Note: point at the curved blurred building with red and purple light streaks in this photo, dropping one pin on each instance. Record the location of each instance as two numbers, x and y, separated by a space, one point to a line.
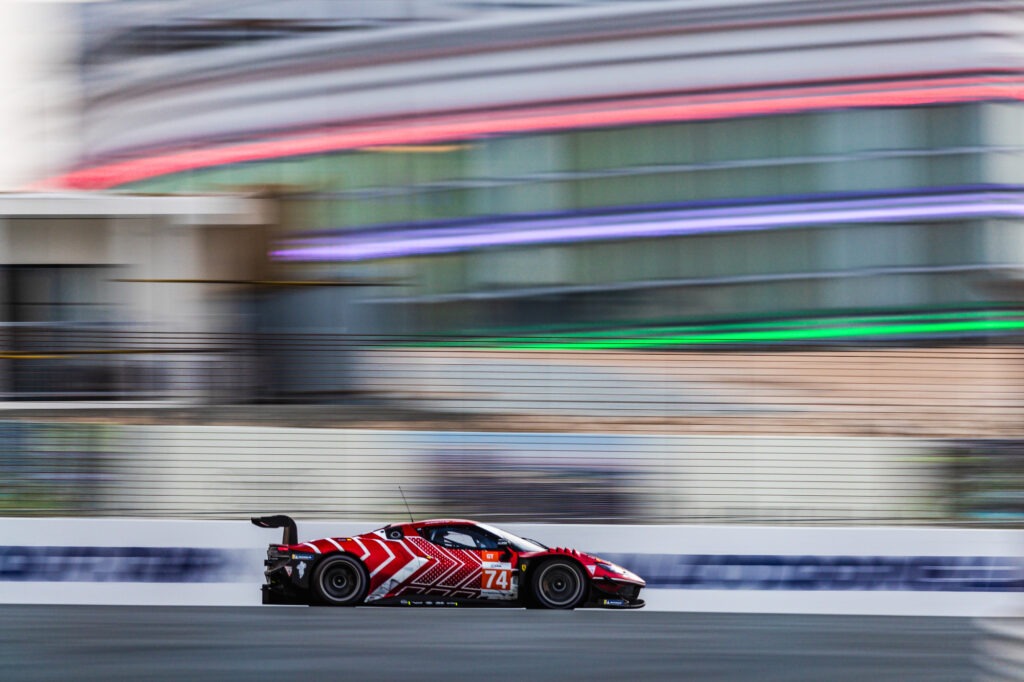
621 164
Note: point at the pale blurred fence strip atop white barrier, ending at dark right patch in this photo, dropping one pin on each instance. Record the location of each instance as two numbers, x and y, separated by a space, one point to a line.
232 472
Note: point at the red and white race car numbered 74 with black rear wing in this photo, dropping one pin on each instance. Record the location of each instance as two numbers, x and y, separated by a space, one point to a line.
440 563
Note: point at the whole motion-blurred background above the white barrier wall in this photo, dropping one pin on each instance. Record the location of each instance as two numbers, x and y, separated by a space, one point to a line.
671 262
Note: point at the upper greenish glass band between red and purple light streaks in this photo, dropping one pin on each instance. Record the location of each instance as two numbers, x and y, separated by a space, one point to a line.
797 155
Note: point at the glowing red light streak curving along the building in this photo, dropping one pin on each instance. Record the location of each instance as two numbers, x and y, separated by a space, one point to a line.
450 129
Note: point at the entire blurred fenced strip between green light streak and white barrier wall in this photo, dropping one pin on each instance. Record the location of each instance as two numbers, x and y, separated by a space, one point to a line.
331 427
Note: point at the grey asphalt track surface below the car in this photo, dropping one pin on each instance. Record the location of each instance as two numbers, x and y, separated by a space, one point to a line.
298 644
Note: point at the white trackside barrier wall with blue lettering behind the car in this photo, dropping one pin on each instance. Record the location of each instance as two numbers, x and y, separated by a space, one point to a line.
904 572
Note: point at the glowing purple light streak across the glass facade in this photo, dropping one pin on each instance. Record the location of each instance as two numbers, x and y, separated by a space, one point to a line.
370 245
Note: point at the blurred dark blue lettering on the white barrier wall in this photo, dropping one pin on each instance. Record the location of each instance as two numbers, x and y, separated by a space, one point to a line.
667 572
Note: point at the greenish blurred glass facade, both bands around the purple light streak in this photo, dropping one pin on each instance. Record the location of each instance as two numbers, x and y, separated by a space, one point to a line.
736 164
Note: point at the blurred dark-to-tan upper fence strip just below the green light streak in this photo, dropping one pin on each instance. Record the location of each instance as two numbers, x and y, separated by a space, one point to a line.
936 392
